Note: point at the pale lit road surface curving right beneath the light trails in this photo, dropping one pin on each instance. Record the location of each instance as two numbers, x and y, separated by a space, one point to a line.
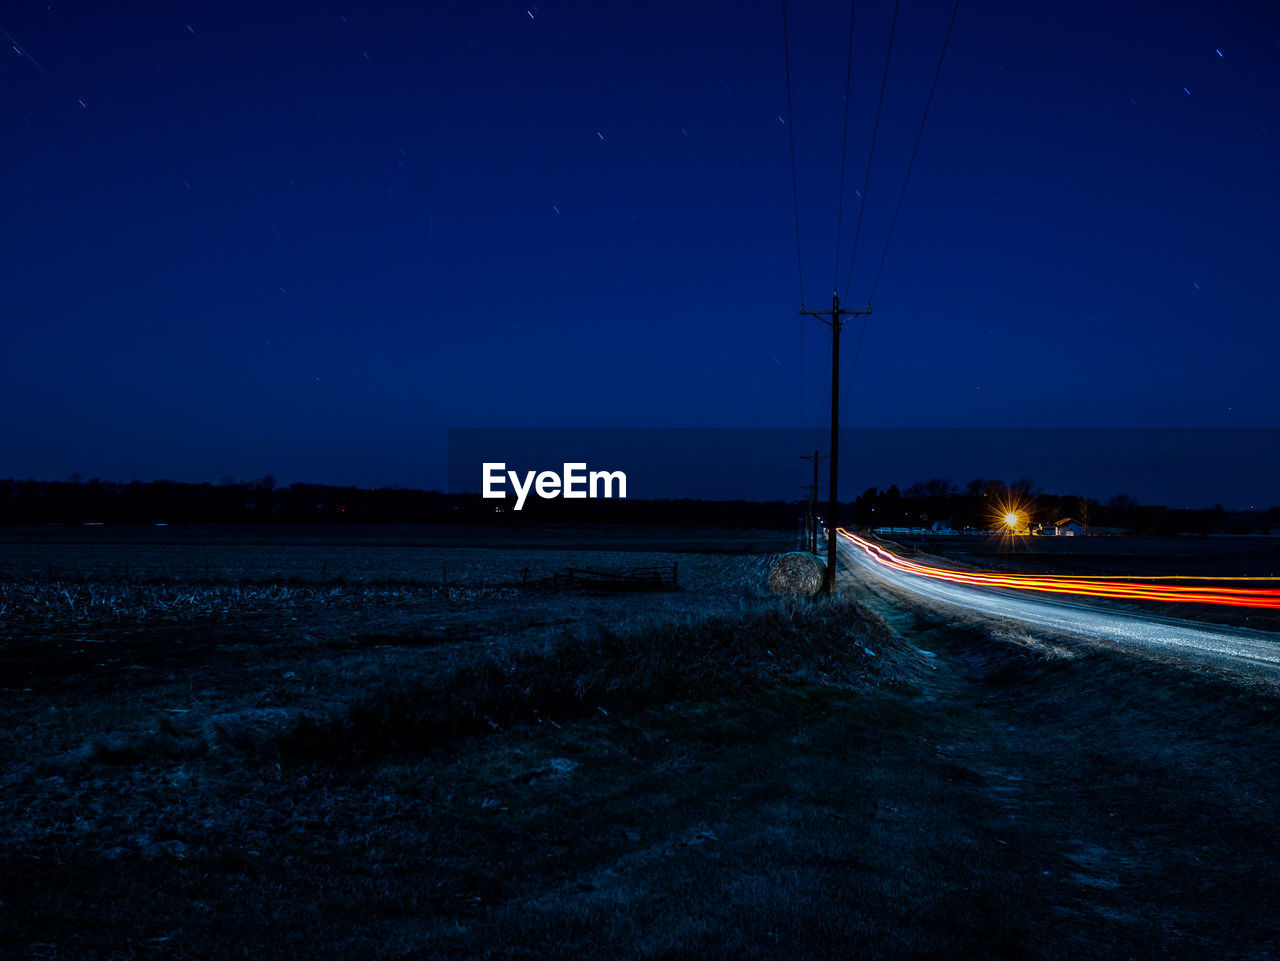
1254 652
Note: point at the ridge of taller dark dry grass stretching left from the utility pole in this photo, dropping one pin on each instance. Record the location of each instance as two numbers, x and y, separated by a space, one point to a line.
664 662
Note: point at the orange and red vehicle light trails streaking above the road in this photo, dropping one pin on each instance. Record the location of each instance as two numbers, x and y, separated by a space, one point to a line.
1085 587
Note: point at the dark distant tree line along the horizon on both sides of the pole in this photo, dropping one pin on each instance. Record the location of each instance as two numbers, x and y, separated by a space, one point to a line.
935 504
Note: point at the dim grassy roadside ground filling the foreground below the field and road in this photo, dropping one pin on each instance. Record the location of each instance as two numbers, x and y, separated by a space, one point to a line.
793 782
